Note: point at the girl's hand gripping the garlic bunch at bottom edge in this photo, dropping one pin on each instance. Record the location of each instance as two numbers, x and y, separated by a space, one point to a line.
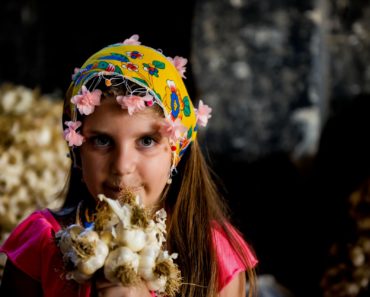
107 289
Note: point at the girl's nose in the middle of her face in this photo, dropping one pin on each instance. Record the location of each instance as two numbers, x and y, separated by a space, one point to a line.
124 160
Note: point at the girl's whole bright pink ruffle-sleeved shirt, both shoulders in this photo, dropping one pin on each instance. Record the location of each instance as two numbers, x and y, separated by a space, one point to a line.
32 249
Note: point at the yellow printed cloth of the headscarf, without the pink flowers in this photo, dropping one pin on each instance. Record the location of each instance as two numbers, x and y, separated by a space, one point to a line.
151 70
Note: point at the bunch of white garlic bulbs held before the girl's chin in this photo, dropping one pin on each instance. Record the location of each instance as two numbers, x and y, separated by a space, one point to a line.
125 243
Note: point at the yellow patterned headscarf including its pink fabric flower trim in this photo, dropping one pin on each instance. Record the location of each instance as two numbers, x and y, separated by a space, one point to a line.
159 75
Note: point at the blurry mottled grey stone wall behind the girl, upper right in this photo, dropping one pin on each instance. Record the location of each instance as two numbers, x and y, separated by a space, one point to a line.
270 69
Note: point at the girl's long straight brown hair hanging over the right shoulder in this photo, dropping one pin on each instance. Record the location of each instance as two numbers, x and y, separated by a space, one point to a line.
194 203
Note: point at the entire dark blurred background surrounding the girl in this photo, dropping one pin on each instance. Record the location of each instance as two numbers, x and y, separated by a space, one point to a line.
289 84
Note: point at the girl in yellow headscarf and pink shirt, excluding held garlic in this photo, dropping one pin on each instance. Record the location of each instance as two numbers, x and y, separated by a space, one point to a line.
129 121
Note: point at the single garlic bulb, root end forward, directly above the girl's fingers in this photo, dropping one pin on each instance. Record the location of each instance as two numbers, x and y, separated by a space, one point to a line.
121 266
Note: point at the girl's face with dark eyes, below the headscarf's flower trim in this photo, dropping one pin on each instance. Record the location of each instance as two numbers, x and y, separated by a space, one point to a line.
125 151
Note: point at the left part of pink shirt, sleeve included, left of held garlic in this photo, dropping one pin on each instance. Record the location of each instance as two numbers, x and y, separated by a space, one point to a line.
32 249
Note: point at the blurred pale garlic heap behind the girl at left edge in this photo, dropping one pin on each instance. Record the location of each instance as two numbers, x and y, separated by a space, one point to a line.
33 162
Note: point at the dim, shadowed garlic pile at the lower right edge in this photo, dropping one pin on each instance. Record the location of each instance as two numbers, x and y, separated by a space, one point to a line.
348 274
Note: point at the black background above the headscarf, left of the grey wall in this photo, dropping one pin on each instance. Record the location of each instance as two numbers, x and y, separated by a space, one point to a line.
42 41
